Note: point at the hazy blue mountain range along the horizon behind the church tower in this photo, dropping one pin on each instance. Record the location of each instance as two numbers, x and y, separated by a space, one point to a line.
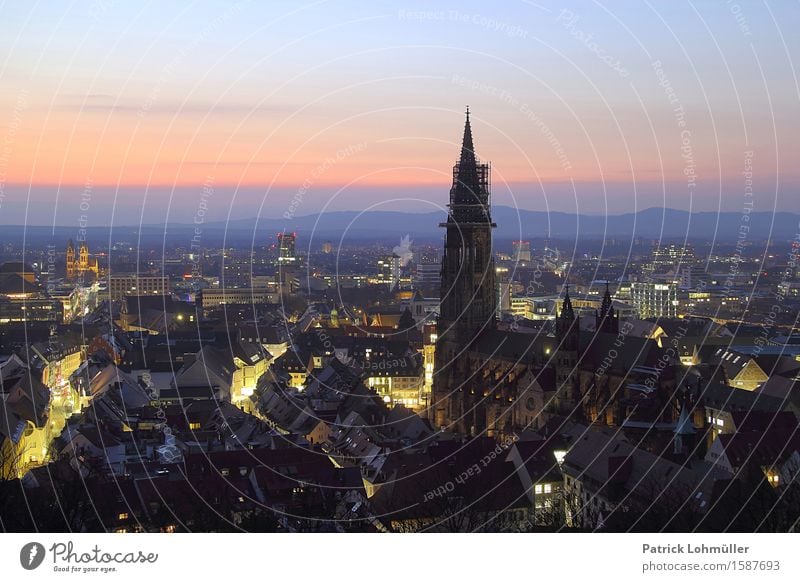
652 223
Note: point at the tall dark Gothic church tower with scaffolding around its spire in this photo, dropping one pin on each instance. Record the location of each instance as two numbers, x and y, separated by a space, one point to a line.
468 291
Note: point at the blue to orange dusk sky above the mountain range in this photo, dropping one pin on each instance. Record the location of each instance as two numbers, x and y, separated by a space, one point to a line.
125 112
